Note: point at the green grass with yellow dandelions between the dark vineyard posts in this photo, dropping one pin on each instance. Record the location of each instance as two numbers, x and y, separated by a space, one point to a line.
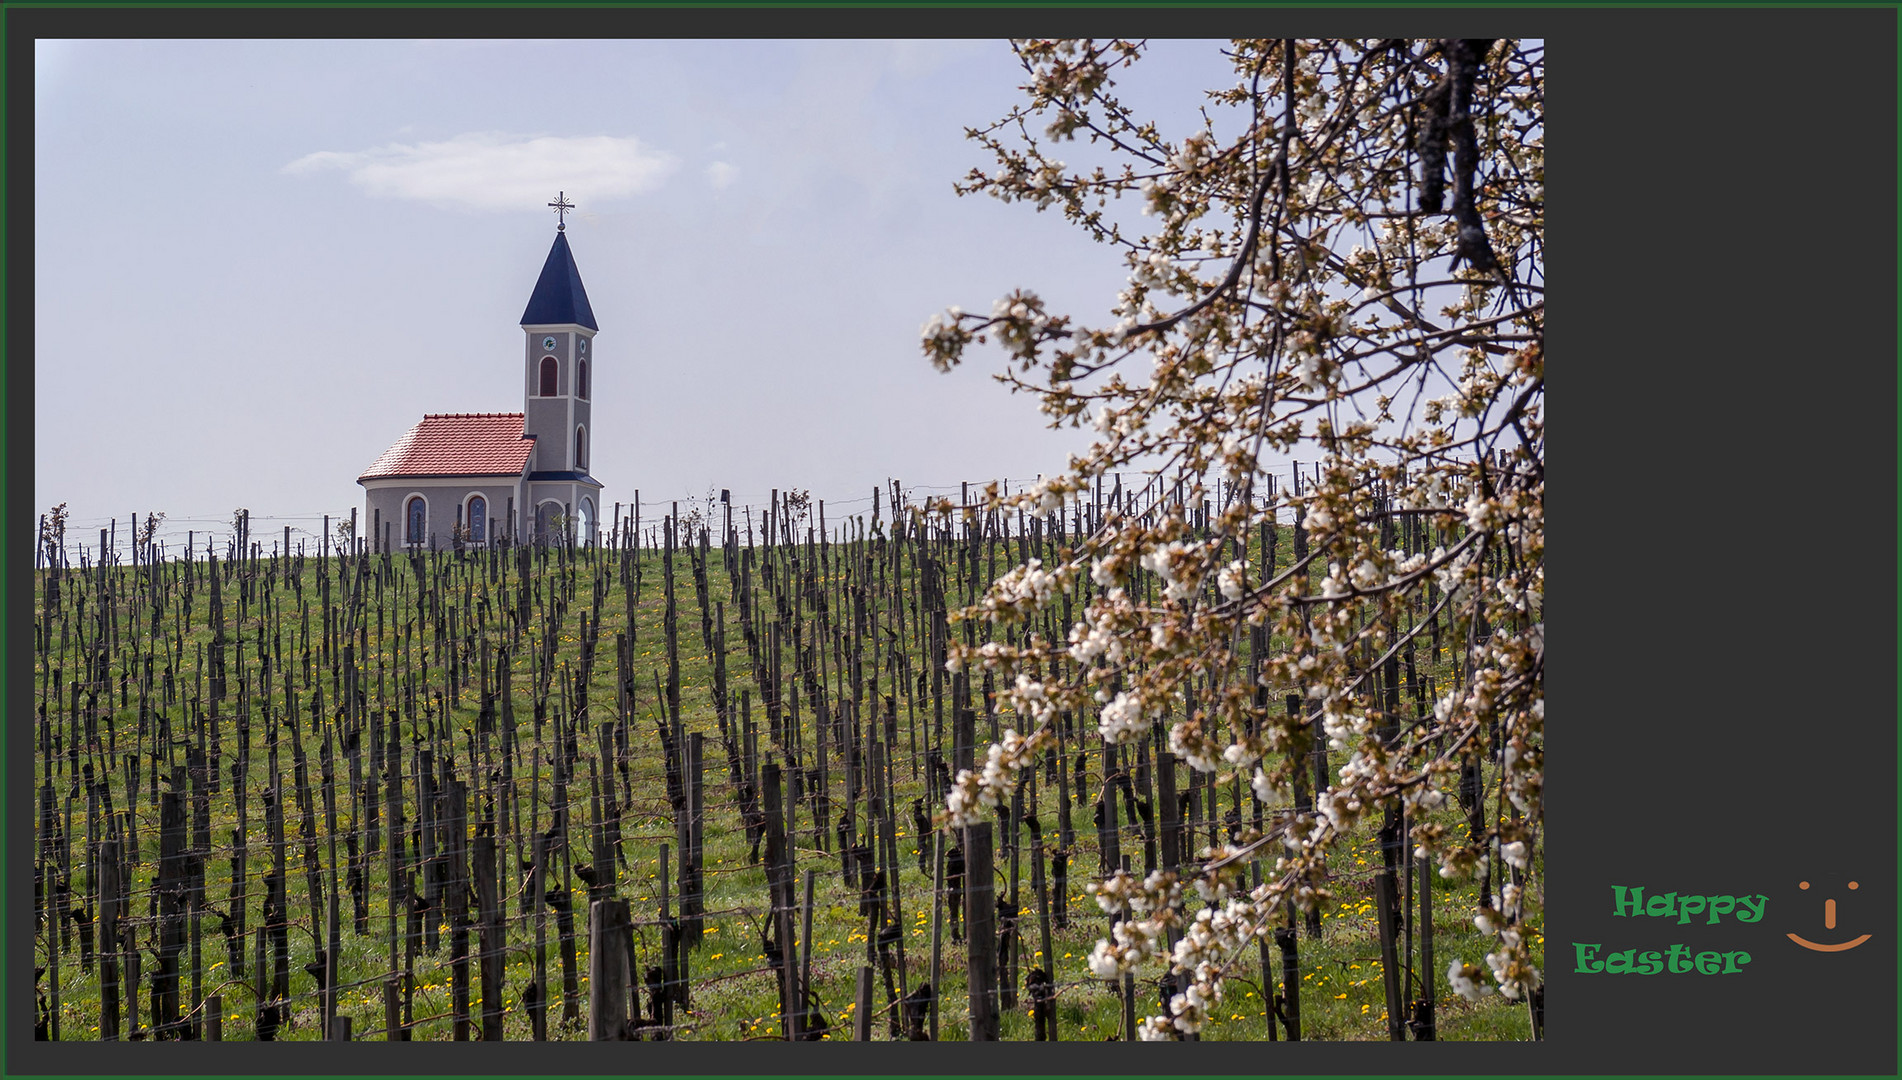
102 693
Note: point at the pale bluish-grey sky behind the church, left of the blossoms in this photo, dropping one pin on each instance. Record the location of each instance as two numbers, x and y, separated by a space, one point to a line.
260 263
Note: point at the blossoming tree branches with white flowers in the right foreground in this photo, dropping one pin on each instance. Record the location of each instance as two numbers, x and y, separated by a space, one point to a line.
1342 263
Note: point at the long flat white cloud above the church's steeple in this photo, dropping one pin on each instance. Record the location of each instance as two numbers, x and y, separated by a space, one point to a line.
488 170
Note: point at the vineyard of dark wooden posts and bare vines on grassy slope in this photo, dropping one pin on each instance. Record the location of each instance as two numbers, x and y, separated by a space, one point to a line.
684 786
